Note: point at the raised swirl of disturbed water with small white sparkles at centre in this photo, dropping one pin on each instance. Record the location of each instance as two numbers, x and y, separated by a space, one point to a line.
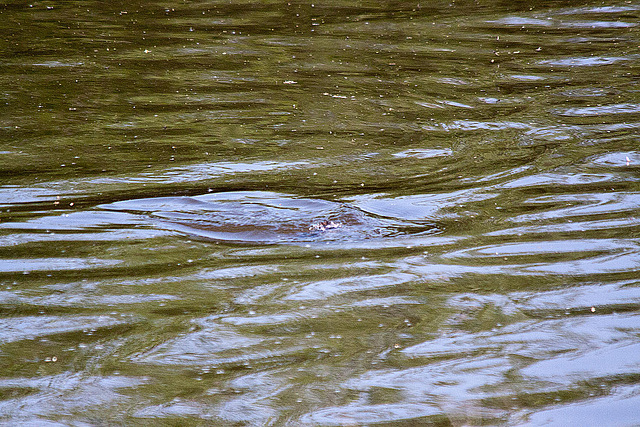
262 217
